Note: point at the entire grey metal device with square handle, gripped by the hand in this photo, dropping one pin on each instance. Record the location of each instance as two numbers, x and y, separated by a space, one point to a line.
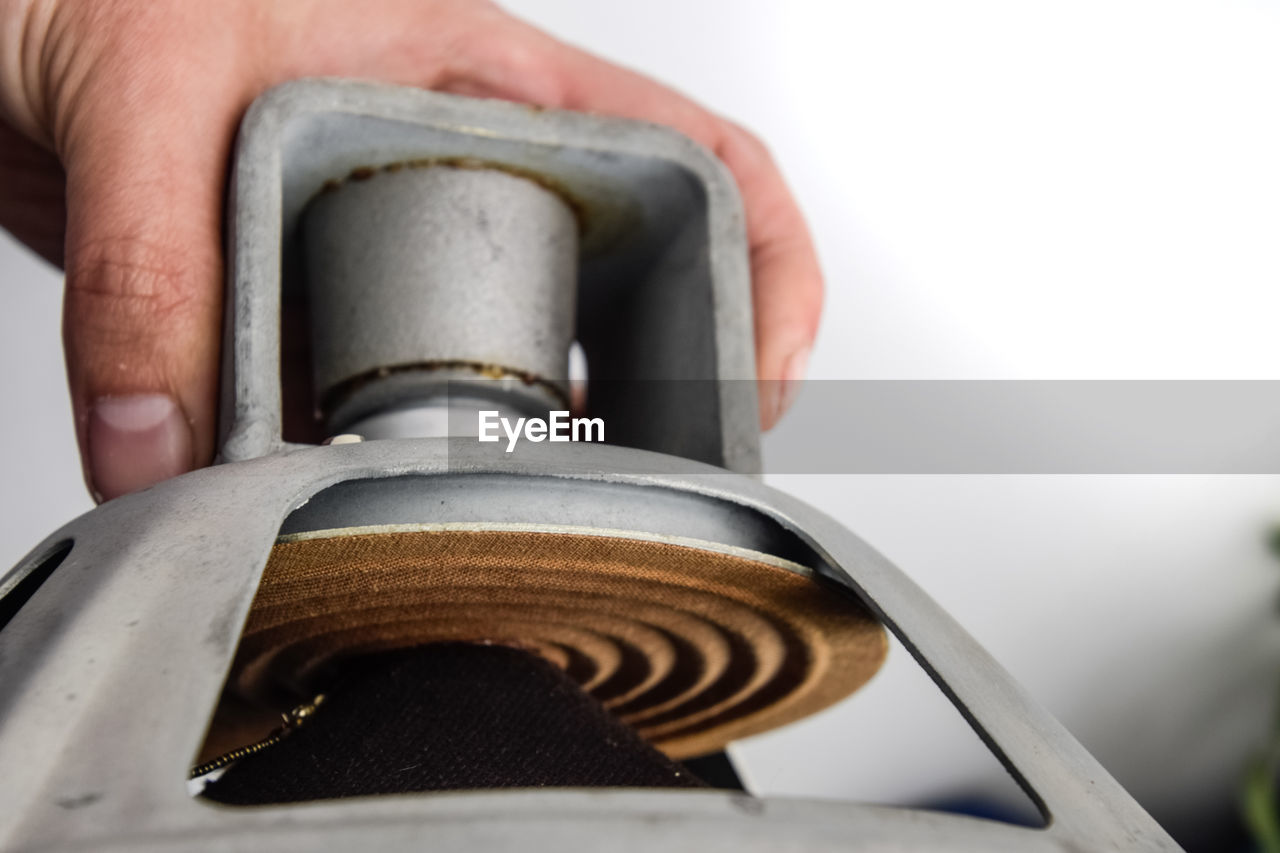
474 230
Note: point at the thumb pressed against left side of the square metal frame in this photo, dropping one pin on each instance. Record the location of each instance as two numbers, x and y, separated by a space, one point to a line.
144 291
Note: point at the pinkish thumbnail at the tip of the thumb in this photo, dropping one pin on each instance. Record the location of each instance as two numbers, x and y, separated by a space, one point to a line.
135 443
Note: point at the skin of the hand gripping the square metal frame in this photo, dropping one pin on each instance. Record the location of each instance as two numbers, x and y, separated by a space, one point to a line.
117 120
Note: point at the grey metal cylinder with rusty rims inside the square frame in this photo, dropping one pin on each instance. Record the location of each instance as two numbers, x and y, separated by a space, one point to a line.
426 276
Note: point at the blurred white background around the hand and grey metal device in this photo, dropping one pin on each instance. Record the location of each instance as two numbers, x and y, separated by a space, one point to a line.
999 190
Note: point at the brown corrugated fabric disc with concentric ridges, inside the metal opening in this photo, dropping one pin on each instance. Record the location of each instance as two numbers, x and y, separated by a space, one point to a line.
693 647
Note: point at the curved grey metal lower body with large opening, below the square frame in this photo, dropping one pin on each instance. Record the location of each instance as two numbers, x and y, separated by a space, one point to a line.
111 673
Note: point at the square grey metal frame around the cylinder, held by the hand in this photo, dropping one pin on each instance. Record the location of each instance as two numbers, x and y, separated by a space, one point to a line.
665 281
